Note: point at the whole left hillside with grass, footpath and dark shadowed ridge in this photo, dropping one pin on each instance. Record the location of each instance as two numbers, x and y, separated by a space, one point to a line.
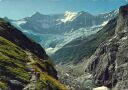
24 64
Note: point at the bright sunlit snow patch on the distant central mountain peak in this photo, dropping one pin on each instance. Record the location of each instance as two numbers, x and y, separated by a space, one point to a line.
69 16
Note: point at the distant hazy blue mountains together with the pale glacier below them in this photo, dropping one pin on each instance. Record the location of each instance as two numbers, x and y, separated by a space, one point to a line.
55 31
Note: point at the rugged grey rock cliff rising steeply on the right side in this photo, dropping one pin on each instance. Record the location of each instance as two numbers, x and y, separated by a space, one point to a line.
109 64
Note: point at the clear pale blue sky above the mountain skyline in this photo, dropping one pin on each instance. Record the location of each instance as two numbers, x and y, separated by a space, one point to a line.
17 9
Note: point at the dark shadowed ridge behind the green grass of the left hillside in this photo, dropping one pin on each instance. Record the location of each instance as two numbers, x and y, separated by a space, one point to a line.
11 33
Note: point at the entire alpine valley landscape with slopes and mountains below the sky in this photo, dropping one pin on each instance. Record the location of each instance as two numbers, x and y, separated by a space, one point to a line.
67 51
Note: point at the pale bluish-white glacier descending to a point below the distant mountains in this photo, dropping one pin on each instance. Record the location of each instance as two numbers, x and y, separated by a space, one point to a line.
53 42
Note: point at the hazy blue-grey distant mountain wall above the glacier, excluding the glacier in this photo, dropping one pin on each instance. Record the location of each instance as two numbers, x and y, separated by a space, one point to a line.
60 23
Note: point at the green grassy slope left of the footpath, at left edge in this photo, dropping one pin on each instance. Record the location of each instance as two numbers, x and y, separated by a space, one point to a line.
12 63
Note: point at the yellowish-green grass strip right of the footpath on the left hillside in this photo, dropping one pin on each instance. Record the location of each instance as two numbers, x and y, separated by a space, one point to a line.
45 80
